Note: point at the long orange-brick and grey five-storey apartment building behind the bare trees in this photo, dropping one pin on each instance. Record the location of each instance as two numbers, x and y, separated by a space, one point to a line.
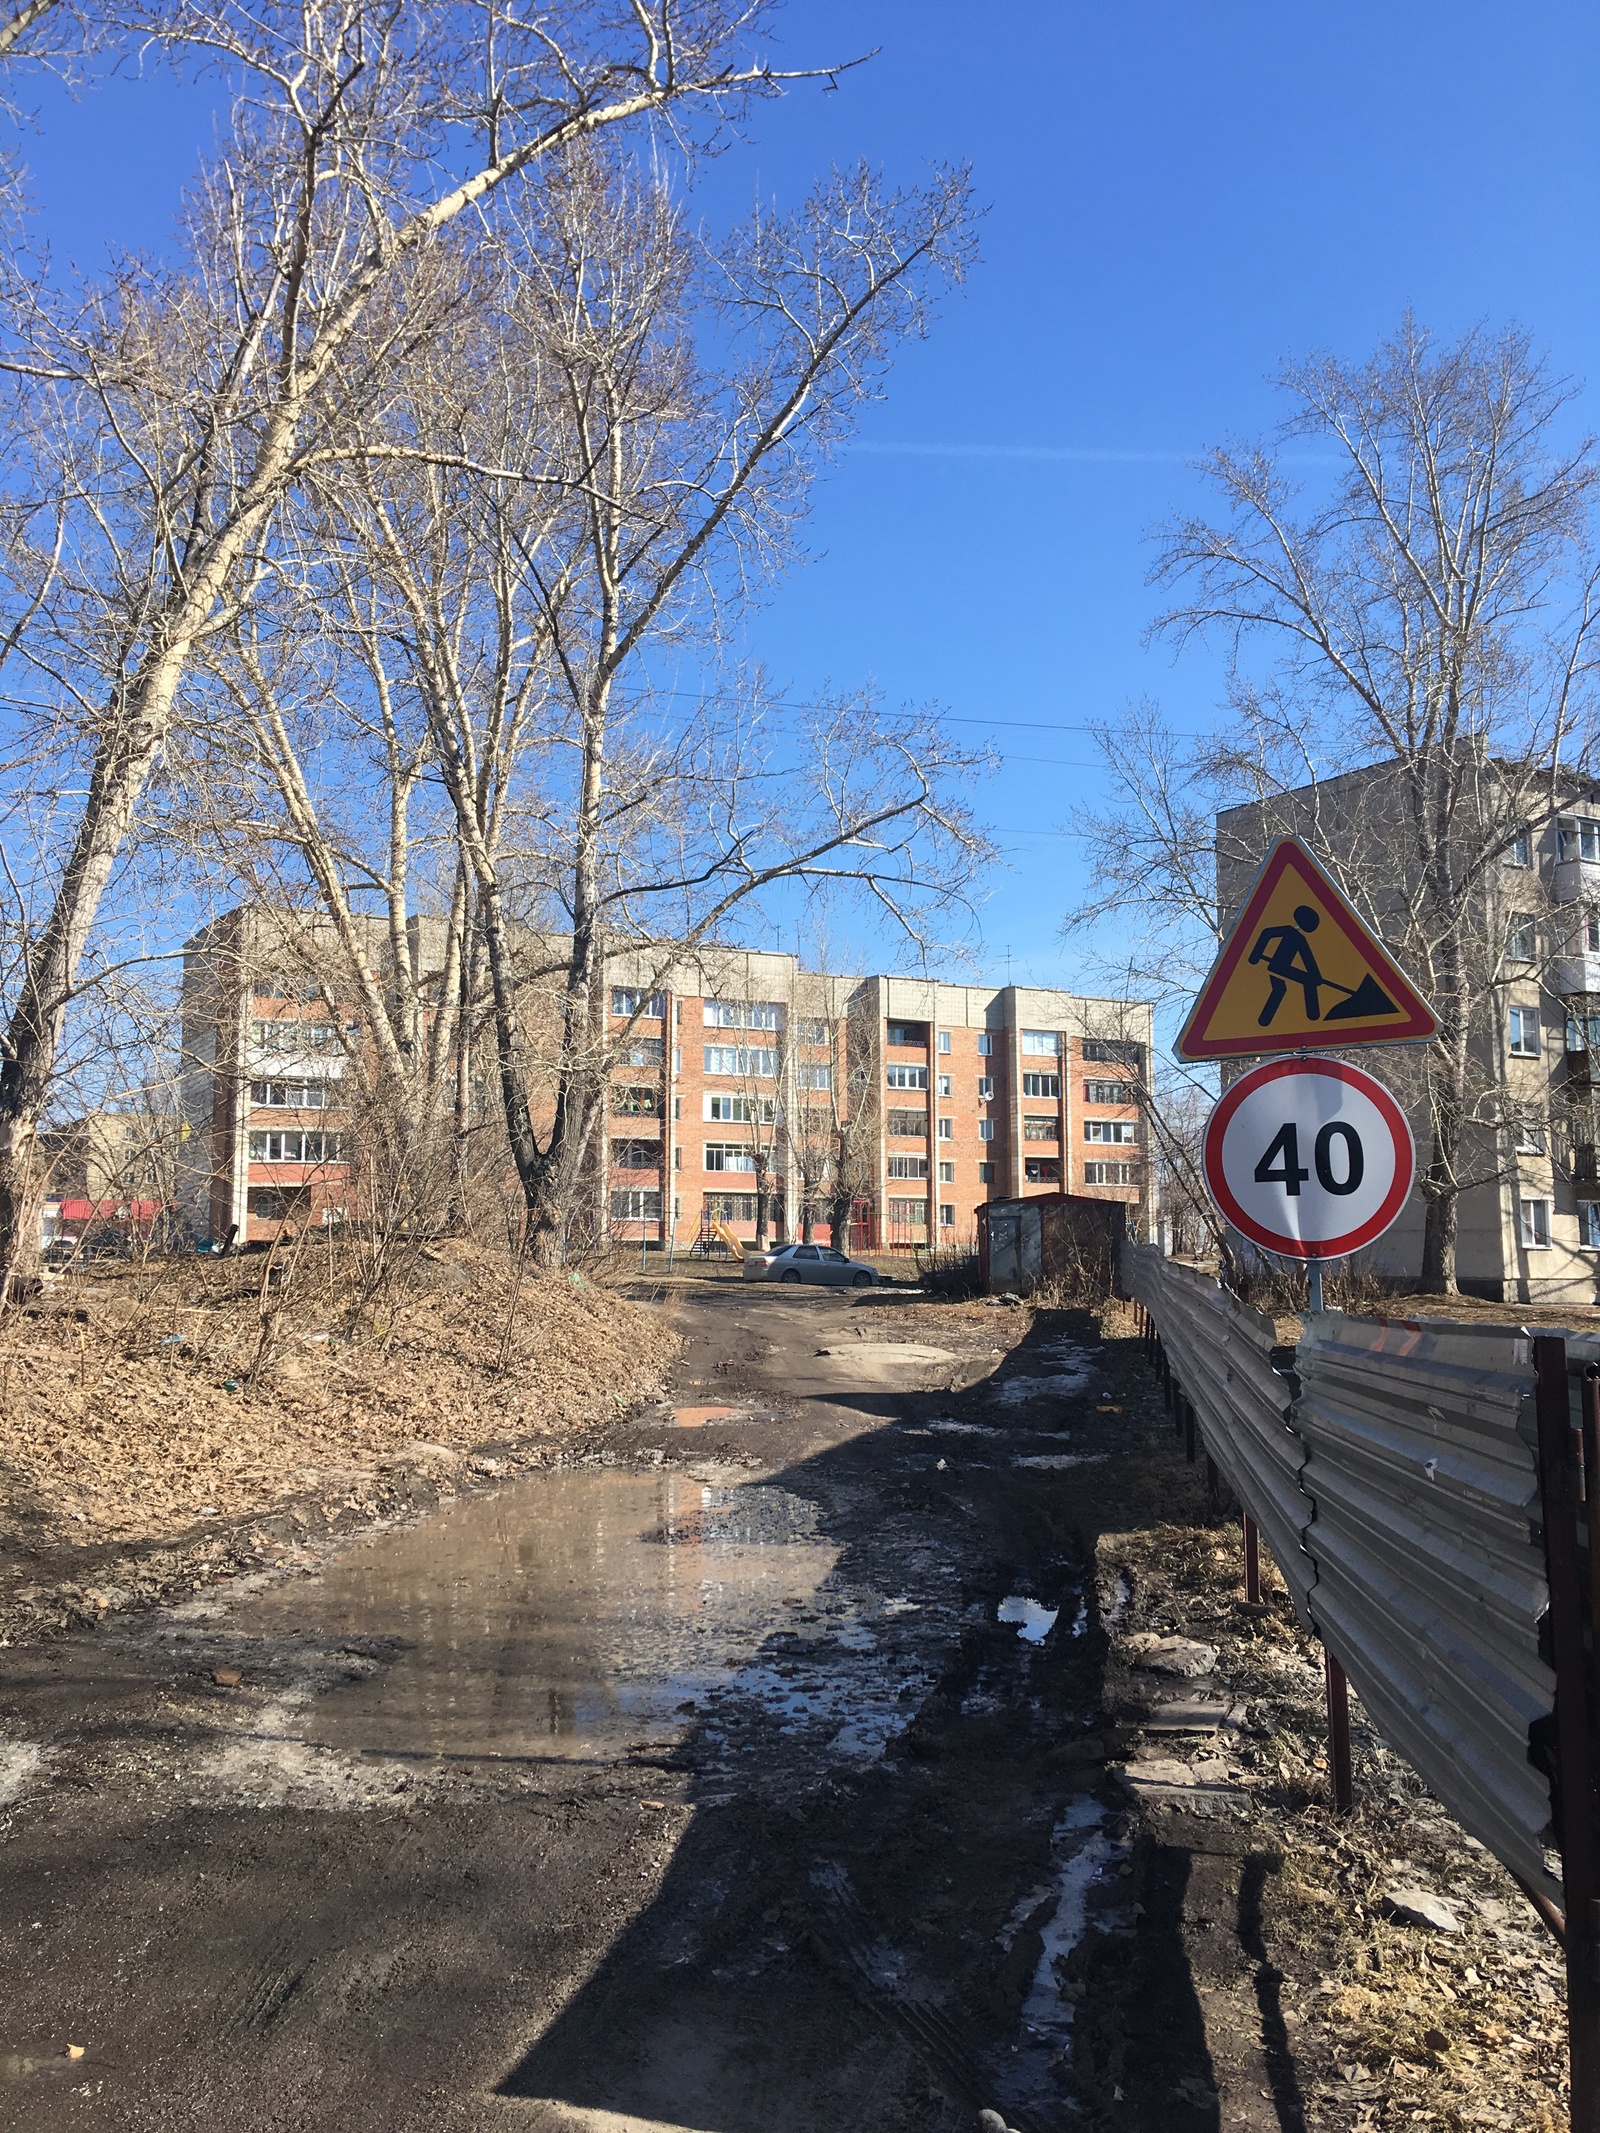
733 1076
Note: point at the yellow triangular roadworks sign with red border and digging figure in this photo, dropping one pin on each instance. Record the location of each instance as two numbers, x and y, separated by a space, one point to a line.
1302 974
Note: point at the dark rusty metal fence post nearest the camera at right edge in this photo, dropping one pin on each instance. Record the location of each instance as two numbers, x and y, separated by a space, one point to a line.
1558 1484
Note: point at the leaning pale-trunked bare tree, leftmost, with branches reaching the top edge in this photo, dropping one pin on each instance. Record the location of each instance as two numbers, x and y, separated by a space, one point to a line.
172 413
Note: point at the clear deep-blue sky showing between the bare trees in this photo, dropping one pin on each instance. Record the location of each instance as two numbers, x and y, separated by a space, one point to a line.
1179 197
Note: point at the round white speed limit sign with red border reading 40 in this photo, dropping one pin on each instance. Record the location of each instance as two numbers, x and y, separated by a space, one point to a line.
1309 1157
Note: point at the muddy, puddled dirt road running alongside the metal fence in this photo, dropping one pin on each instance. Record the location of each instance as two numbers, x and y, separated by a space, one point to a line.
790 1759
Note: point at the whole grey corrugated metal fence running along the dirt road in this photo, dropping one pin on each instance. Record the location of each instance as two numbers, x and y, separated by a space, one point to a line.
1394 1473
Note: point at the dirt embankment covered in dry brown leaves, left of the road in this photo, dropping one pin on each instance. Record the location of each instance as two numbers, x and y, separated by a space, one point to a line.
174 1422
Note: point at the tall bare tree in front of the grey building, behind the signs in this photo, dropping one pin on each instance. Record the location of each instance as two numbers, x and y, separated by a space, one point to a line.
1428 615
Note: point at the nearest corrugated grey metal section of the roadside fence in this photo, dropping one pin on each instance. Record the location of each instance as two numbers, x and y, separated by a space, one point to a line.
1430 1582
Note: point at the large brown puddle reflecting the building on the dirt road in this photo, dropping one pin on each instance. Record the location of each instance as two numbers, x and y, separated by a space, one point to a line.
566 1616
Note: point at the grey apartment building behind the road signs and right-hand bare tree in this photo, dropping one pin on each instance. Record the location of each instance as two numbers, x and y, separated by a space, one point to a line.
1531 1221
